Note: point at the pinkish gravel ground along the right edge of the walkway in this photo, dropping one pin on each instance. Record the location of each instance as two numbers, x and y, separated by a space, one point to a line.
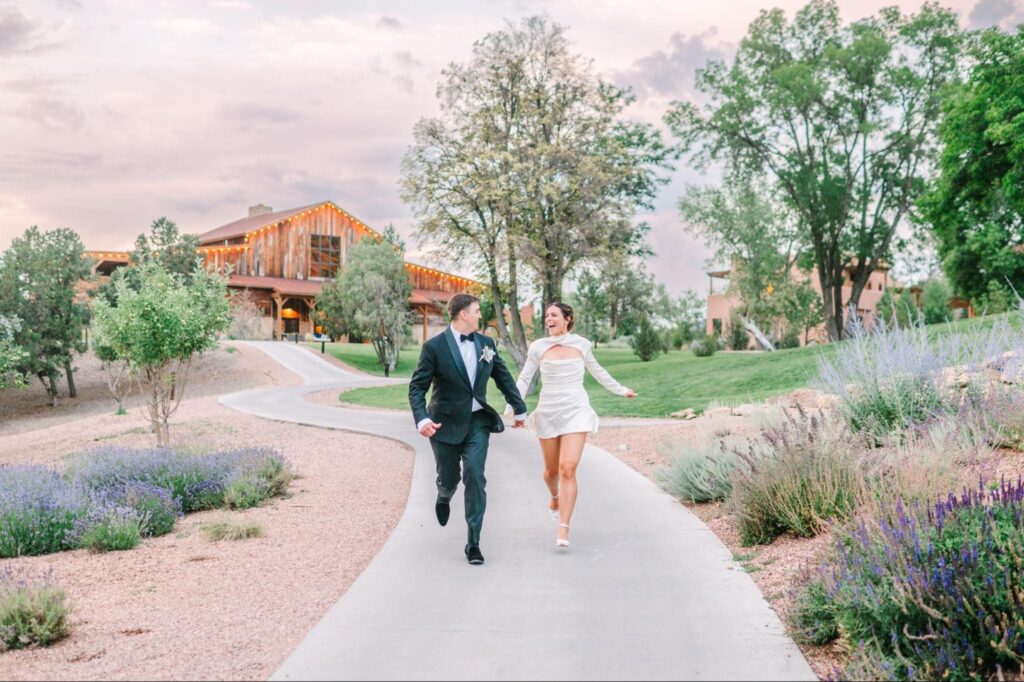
774 568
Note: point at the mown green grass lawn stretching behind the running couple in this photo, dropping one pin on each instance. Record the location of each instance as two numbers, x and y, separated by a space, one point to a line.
671 382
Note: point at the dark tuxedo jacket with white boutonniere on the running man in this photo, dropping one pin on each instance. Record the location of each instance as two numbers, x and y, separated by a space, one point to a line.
443 370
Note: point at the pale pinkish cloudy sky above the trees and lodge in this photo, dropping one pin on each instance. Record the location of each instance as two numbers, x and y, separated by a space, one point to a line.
114 113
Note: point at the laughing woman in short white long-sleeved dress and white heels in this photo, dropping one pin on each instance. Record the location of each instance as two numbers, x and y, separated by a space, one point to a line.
564 416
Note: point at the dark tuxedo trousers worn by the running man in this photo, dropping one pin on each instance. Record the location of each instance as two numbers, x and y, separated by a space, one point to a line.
472 454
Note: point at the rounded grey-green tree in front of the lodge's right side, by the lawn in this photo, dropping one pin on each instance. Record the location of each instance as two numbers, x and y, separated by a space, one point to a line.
370 299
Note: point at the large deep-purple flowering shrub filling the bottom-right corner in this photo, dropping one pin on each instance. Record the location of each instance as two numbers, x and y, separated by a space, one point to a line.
927 592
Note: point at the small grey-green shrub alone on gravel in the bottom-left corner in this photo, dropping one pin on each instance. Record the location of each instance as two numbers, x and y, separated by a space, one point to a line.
33 613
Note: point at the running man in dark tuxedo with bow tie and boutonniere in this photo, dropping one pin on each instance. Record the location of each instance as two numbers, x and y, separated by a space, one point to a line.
459 422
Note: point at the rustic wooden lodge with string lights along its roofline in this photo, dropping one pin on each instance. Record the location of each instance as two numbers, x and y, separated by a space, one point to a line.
284 259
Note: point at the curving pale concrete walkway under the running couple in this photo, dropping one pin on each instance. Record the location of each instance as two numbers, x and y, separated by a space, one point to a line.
646 592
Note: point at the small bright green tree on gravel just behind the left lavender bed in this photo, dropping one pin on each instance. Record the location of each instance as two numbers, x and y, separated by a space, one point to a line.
159 329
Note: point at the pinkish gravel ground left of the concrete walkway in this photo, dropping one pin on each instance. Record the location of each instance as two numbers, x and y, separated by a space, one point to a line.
181 607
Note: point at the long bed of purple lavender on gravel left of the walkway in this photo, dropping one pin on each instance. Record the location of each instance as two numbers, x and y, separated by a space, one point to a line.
109 499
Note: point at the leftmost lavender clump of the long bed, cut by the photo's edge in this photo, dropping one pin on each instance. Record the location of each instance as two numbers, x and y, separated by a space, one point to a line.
38 511
